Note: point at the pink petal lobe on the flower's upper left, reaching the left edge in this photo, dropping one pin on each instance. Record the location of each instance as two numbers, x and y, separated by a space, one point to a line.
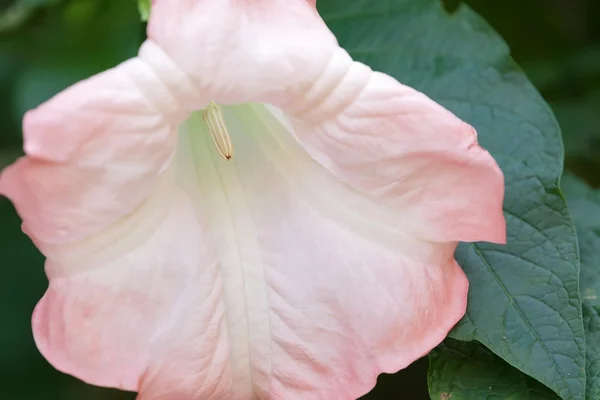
94 153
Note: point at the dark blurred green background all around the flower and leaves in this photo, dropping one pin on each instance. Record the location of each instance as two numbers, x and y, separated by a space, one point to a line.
46 45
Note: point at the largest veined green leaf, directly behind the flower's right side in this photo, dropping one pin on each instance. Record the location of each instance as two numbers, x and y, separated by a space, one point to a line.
524 301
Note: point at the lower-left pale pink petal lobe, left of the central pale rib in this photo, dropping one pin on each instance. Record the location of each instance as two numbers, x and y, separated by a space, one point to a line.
145 307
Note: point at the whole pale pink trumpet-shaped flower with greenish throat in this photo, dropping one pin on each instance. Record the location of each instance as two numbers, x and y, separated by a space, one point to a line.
244 212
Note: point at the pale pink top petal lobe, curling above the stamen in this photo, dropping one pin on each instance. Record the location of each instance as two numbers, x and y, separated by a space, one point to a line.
269 51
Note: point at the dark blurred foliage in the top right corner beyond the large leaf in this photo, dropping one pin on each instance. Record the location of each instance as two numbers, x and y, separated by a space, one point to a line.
557 43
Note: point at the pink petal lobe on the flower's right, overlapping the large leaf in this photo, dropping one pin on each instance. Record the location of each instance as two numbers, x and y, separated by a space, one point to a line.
406 151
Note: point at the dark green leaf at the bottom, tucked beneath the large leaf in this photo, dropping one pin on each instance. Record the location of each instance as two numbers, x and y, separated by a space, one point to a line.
469 371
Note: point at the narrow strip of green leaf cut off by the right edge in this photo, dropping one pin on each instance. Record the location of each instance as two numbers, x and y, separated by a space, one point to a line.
585 205
